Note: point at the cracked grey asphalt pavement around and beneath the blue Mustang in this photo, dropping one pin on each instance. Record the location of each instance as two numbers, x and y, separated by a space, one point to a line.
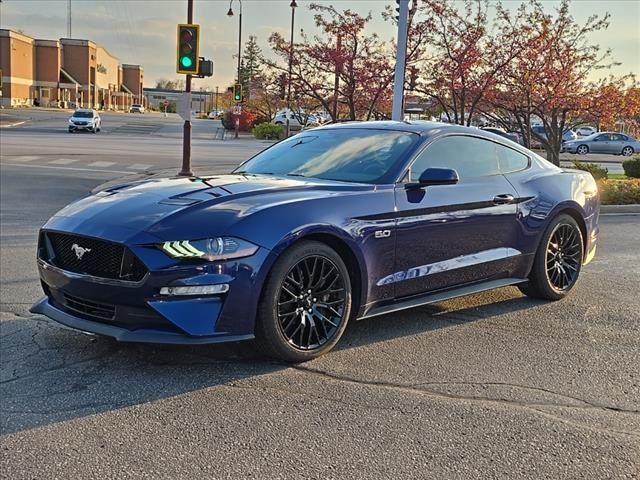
490 386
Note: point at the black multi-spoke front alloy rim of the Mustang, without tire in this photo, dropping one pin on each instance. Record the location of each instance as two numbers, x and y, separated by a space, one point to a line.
311 303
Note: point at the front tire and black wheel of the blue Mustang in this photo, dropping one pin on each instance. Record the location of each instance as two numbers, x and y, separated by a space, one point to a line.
305 304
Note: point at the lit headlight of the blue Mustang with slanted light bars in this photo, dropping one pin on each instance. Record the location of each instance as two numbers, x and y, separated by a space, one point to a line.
219 248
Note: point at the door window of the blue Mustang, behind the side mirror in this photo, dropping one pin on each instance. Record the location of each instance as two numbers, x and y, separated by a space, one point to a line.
469 156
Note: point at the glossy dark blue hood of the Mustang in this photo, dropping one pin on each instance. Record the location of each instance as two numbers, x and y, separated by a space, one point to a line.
185 207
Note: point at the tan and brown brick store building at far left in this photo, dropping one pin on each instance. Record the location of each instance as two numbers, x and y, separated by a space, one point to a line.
65 73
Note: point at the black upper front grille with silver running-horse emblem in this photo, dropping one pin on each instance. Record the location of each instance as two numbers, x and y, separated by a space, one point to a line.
91 256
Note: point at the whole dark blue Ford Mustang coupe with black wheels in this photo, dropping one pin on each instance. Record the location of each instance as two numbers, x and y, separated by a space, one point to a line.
337 223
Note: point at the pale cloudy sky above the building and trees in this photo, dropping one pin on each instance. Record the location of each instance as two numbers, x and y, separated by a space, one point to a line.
144 31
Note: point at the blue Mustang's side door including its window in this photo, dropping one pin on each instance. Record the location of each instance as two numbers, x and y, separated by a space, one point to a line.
448 235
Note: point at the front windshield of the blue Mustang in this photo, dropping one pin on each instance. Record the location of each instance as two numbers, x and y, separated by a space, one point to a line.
347 155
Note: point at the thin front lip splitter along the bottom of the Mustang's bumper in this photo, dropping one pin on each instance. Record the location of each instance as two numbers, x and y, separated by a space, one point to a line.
44 307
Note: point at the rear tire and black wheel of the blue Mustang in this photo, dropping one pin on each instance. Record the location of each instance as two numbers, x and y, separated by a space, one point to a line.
556 270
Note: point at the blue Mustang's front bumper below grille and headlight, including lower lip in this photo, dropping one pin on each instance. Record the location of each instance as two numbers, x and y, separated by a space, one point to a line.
136 311
